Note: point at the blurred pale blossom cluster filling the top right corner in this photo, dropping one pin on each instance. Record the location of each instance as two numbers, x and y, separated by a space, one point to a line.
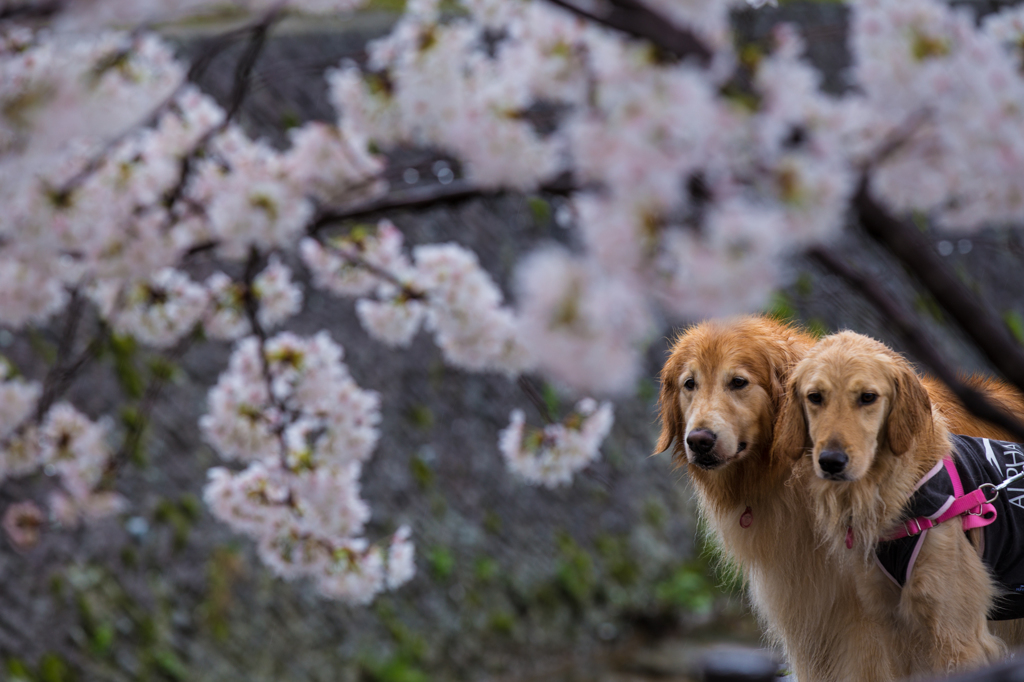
966 157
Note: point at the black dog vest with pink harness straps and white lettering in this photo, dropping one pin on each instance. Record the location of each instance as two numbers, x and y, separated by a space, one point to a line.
991 471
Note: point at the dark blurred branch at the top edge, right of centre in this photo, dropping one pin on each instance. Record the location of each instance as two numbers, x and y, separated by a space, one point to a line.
635 19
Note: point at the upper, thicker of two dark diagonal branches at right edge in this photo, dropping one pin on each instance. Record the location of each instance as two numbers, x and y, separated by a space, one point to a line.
912 248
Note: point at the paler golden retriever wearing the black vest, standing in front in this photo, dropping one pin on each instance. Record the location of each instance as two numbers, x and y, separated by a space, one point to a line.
868 424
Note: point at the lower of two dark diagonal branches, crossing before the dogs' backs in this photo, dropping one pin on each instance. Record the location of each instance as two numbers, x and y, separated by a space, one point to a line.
918 343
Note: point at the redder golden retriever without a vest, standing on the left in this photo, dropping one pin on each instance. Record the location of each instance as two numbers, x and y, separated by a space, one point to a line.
722 389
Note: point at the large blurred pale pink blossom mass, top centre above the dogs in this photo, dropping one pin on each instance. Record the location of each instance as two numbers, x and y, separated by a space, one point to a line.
696 196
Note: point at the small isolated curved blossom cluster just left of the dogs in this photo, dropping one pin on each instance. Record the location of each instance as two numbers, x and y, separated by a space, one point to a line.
551 457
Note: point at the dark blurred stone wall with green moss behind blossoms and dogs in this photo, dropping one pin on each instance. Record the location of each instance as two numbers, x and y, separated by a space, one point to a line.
515 583
